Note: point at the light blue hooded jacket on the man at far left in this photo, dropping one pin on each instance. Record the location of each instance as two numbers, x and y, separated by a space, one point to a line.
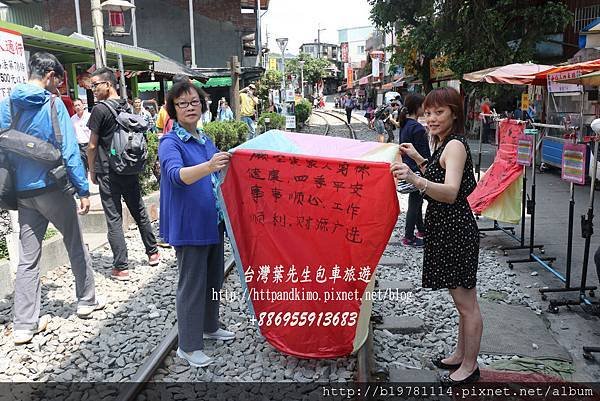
34 104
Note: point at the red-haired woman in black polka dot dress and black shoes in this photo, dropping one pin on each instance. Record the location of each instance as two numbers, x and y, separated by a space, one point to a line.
451 235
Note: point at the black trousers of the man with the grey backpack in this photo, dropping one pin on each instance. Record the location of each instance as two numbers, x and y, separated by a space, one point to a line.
113 187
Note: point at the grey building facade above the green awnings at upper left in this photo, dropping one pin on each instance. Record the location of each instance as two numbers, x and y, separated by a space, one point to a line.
221 29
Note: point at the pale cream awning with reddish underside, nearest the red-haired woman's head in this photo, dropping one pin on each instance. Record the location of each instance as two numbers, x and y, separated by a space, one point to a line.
512 74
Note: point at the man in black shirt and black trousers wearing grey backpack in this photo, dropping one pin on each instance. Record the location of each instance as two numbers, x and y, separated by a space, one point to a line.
112 169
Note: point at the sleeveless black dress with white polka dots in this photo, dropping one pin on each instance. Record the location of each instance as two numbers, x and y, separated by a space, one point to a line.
451 236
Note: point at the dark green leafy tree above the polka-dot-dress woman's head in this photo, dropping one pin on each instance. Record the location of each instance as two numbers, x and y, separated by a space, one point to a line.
471 34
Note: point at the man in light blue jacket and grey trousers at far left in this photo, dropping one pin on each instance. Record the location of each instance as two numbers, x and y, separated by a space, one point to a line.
44 193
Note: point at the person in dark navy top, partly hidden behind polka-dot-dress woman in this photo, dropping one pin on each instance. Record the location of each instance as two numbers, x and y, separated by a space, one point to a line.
411 131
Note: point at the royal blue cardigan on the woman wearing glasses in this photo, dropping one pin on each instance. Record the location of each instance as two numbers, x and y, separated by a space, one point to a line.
188 213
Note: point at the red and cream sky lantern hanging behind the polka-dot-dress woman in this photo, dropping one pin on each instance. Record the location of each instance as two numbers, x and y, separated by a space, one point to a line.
498 193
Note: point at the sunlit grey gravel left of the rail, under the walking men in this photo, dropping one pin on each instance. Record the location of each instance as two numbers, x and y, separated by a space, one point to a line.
111 345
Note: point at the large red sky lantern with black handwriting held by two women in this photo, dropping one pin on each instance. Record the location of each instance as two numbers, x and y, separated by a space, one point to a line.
309 218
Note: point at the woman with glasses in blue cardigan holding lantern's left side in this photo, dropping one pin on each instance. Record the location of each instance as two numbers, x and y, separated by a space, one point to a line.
192 221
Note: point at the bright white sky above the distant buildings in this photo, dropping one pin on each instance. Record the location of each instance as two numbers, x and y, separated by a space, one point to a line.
298 20
